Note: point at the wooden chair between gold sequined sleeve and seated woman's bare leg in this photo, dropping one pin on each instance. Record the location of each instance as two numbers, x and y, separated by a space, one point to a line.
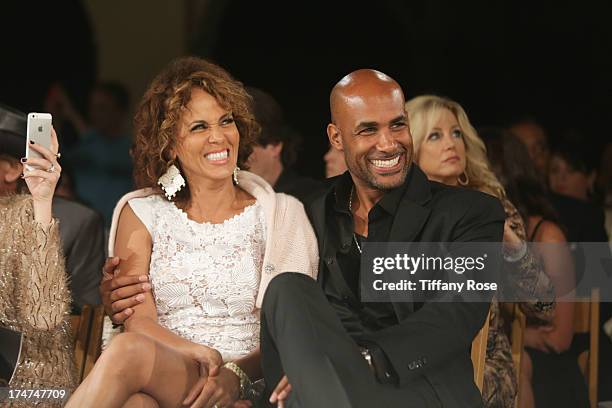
87 334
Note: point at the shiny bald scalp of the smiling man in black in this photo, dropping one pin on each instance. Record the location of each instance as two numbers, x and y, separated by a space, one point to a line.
359 85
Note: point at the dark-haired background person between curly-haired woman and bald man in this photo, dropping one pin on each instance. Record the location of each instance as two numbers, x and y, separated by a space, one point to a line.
276 150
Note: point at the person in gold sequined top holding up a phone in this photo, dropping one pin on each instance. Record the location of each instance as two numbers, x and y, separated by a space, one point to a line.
34 294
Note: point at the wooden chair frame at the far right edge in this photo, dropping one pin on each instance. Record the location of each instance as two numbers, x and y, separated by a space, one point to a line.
586 320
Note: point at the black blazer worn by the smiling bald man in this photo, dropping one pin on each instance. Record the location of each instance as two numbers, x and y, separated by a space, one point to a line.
432 342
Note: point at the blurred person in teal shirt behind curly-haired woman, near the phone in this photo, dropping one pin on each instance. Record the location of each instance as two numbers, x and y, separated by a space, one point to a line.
100 161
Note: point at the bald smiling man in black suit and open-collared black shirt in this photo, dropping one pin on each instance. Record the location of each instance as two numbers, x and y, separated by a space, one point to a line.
320 343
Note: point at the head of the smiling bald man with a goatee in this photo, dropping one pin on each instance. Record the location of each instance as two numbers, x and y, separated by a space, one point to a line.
370 125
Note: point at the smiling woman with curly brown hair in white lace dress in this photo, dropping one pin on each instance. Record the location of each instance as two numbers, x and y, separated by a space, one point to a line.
210 238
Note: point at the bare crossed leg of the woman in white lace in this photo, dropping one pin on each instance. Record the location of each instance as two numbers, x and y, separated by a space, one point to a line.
132 364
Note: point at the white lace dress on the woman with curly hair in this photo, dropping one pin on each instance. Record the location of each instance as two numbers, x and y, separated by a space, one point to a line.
206 276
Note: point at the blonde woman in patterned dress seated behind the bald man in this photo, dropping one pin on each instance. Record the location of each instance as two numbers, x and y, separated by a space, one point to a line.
448 149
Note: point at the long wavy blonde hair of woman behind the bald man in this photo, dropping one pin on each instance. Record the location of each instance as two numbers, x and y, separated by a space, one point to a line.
424 111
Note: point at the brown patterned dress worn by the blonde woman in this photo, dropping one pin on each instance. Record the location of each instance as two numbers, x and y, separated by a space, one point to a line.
529 281
